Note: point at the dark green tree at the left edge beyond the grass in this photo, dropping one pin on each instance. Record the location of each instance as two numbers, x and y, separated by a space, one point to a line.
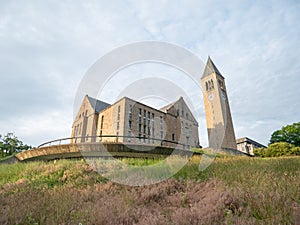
10 144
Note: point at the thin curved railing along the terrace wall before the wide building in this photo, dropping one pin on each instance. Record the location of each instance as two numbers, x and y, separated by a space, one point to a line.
93 139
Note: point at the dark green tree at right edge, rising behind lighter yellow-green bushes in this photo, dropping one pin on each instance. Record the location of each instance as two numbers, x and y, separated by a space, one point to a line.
289 134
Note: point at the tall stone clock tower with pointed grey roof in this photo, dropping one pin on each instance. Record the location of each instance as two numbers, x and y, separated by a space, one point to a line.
218 117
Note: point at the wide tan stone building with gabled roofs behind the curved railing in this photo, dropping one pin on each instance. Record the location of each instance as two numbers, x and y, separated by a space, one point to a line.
129 121
